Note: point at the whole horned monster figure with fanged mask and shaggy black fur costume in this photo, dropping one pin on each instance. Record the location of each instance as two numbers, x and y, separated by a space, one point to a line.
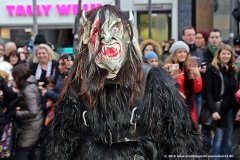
117 118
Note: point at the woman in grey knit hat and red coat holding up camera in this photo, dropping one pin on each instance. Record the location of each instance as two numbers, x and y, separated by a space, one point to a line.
186 74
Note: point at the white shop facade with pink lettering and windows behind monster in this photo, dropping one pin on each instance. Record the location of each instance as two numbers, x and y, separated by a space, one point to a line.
56 19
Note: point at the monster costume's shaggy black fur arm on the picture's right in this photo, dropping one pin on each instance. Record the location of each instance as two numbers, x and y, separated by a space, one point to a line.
166 118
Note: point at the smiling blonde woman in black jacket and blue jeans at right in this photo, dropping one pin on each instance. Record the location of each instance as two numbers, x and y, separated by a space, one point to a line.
220 85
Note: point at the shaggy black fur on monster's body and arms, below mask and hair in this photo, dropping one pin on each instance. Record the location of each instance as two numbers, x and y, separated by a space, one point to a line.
165 117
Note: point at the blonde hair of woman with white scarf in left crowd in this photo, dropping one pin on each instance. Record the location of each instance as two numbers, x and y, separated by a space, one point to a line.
51 56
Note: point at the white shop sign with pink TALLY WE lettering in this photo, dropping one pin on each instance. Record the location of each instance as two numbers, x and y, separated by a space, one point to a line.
17 13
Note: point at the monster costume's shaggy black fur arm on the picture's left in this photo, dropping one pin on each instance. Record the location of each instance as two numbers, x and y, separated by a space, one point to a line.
63 135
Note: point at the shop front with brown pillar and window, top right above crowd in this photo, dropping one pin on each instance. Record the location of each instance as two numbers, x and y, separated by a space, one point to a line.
217 14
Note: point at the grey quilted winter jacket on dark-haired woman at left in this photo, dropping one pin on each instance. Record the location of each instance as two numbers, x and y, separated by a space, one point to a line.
30 114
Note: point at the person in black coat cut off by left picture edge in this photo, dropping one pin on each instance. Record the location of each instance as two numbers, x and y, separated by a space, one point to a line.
5 99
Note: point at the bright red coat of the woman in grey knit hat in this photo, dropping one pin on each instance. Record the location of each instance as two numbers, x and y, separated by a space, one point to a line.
197 86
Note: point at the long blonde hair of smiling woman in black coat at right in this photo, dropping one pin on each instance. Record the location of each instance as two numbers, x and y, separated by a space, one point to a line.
216 59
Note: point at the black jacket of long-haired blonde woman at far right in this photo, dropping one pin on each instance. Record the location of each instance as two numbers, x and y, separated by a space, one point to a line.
212 88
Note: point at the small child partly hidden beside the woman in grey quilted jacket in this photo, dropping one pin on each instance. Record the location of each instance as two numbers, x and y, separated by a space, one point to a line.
49 84
